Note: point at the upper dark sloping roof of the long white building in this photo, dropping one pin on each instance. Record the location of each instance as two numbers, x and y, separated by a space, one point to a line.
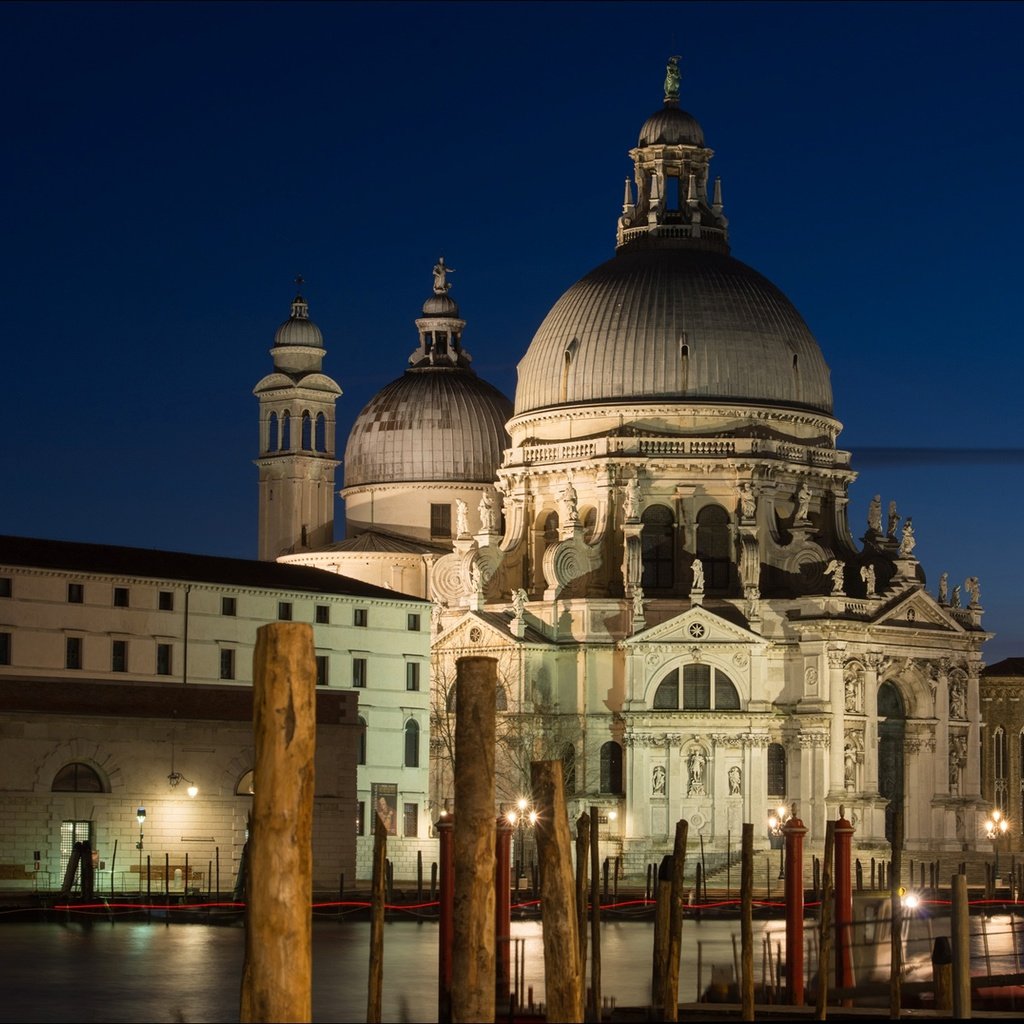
147 563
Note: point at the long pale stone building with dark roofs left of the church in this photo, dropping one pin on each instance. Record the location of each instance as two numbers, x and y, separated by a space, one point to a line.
125 677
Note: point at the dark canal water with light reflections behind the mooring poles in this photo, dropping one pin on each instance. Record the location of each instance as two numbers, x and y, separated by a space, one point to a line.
133 971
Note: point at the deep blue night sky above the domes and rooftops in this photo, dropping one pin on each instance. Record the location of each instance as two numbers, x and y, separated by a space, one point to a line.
169 168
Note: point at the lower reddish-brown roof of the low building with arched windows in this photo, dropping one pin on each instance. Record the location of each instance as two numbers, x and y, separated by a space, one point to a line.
139 700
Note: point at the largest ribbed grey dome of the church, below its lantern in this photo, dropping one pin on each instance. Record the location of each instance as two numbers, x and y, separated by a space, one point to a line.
669 322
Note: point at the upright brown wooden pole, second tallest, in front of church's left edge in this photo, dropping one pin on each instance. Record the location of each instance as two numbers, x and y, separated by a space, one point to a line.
474 942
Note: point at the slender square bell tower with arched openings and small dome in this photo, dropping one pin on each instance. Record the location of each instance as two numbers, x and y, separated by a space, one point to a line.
296 441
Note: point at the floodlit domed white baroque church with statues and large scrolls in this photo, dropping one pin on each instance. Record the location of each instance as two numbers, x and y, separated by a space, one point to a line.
655 544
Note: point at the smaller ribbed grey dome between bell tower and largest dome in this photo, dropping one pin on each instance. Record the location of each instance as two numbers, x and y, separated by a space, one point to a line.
435 423
